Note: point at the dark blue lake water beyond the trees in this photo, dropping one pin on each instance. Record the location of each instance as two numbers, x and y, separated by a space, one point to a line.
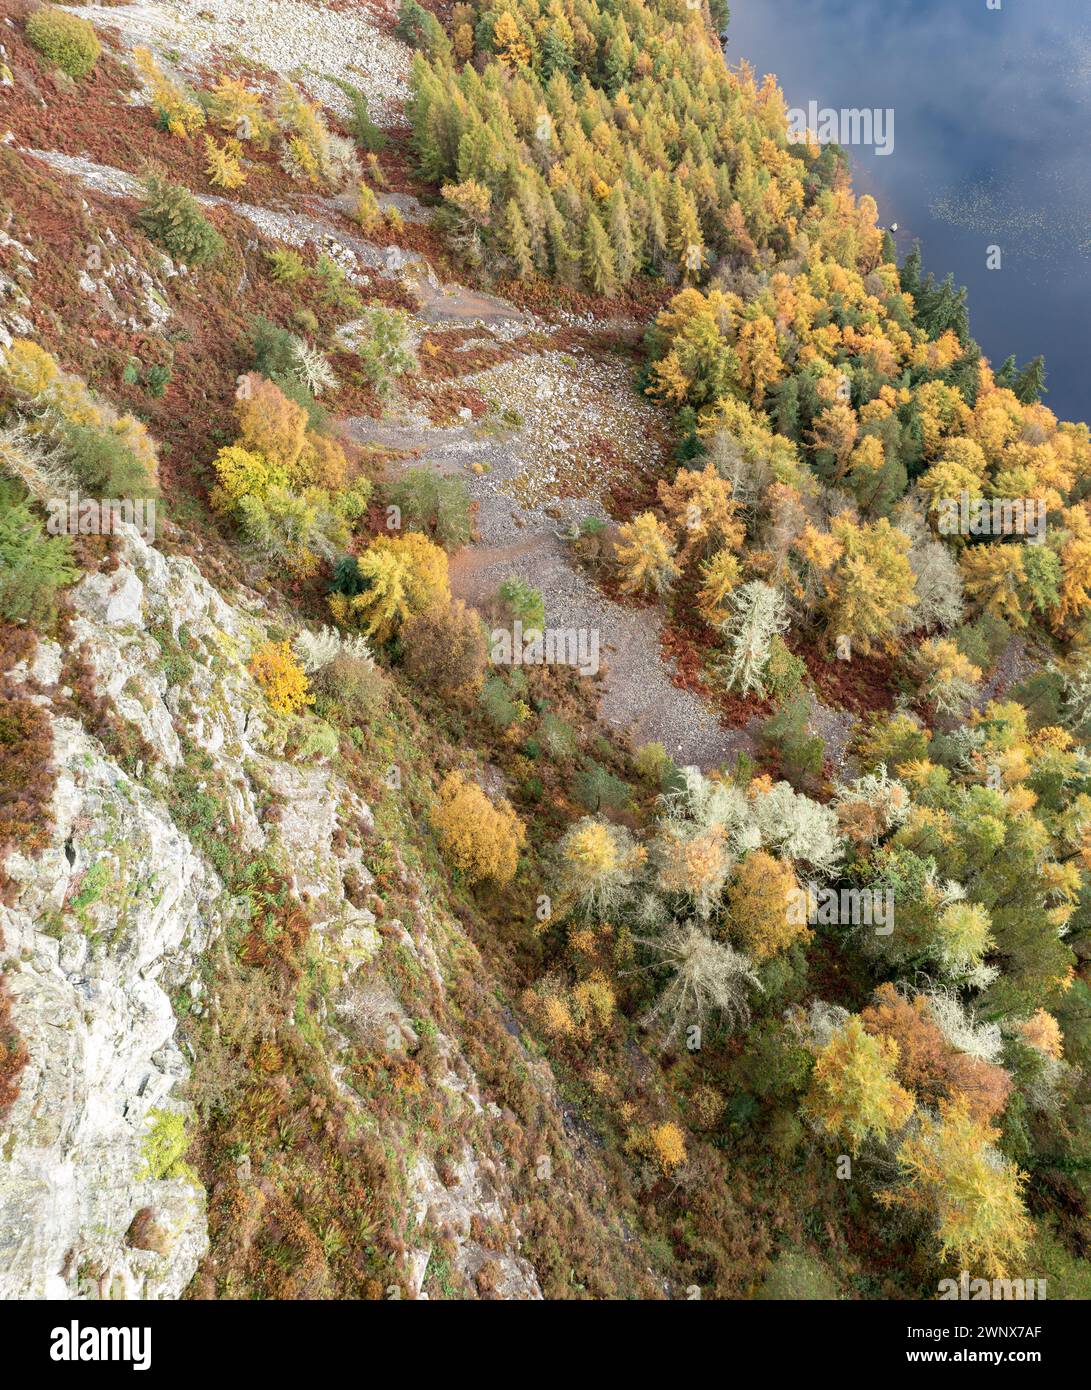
992 148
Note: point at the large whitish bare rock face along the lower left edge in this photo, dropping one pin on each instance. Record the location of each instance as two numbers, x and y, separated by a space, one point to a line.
106 926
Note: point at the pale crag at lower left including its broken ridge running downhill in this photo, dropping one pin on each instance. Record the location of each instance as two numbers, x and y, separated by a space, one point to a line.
110 925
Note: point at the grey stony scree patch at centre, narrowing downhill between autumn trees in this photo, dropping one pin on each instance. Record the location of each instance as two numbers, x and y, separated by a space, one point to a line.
564 404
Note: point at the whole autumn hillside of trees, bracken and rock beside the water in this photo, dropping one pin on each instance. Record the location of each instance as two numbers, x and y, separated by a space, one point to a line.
345 954
